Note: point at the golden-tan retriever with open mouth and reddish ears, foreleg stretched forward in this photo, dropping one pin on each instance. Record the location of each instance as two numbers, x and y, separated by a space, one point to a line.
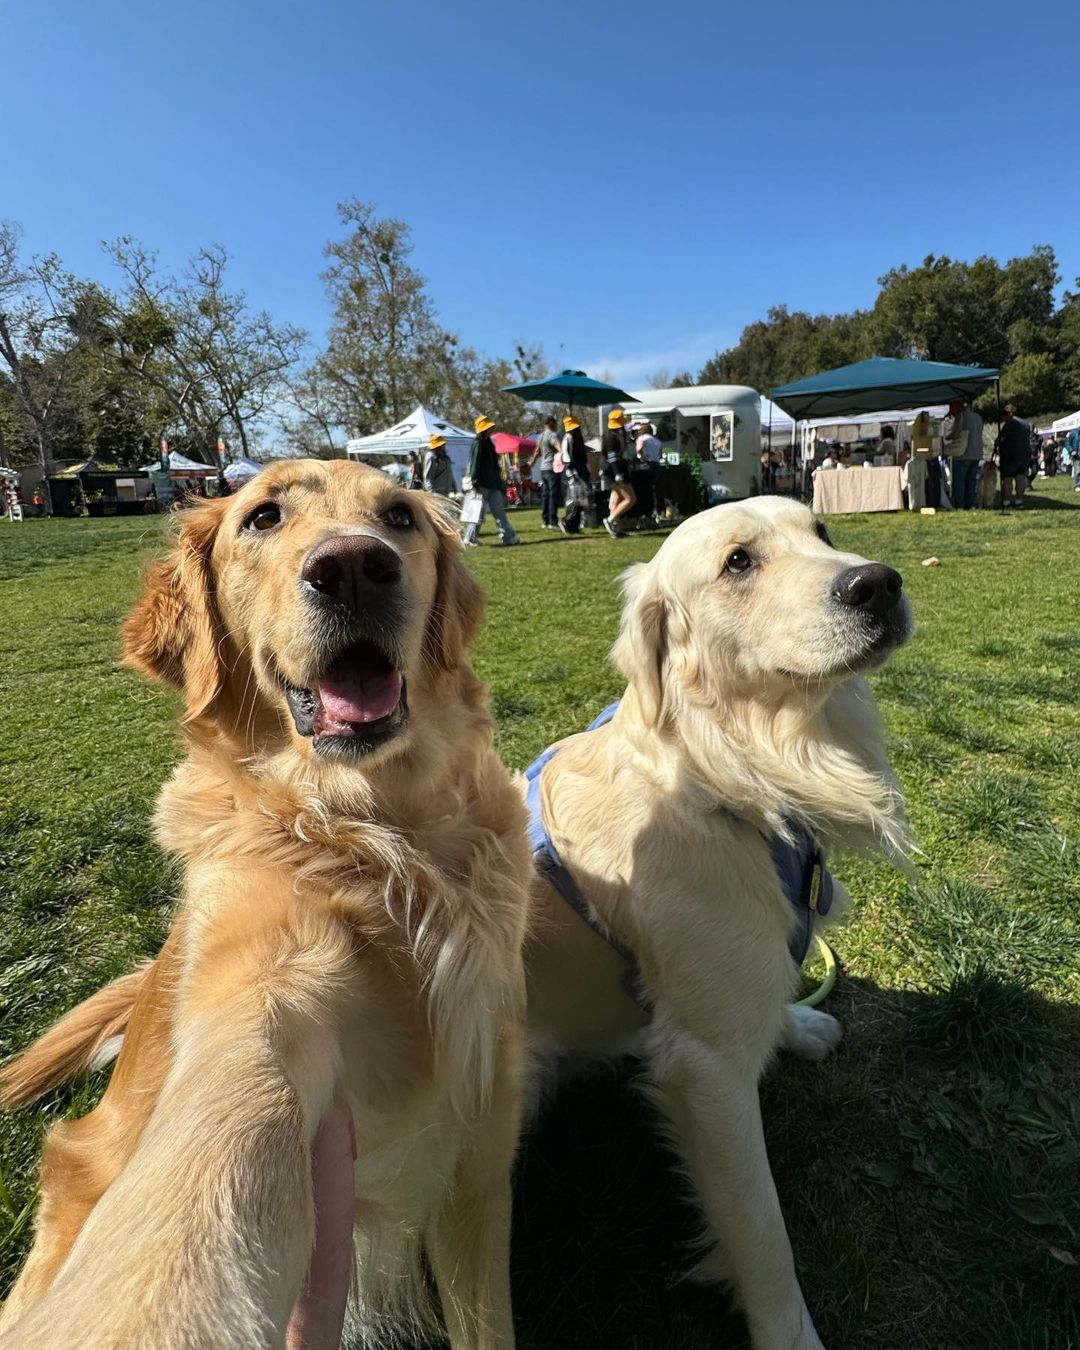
352 928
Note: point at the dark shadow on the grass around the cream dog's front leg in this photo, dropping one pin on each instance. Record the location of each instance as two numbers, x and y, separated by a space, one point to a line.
928 1175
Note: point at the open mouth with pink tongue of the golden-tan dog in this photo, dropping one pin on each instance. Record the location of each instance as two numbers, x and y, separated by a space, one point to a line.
356 705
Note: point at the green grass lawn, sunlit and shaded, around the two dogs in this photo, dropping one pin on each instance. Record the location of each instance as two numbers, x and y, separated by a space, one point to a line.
929 1172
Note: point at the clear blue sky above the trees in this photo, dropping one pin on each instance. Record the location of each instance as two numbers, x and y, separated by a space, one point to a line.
627 184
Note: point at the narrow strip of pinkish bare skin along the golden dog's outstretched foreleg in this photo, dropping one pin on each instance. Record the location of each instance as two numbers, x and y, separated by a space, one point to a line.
321 1310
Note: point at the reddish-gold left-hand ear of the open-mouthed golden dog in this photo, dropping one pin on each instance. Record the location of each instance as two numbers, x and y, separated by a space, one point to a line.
173 632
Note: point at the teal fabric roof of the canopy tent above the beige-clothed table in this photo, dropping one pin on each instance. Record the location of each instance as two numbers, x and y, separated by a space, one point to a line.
882 383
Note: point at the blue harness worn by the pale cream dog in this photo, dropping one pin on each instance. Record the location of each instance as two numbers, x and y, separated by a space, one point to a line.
800 869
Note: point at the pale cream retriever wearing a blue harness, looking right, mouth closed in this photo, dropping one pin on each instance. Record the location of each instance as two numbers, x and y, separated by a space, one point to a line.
745 718
